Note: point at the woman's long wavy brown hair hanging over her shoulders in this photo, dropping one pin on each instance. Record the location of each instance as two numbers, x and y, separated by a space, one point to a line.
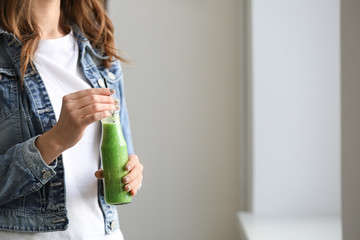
89 15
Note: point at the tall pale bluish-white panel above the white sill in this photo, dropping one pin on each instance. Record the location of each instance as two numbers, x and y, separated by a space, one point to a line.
296 111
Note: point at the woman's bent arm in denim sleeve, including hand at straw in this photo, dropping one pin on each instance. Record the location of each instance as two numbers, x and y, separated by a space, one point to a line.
24 168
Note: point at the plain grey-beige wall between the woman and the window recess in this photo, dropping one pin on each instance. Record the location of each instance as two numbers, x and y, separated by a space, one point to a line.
182 97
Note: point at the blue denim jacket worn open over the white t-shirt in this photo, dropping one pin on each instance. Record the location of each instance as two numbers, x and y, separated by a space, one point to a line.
32 193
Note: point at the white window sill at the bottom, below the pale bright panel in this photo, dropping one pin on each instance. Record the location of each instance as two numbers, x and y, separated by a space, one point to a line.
273 227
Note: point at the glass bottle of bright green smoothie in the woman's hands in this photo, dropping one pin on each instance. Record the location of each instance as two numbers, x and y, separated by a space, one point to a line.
114 158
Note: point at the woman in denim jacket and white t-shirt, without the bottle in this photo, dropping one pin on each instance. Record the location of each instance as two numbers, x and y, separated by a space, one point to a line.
55 58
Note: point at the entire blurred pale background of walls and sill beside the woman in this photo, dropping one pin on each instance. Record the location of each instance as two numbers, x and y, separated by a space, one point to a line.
239 115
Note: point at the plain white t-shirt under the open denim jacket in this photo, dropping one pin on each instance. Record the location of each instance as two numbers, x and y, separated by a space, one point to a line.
57 62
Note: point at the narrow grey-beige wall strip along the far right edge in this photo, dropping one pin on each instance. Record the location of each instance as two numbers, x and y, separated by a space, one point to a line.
350 74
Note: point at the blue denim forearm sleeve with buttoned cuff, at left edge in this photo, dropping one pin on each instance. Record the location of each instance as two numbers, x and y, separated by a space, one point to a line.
22 171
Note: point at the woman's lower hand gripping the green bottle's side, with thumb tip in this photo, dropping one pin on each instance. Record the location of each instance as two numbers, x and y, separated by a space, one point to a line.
134 178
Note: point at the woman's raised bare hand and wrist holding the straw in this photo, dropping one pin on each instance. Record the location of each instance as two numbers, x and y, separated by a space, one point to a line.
78 110
